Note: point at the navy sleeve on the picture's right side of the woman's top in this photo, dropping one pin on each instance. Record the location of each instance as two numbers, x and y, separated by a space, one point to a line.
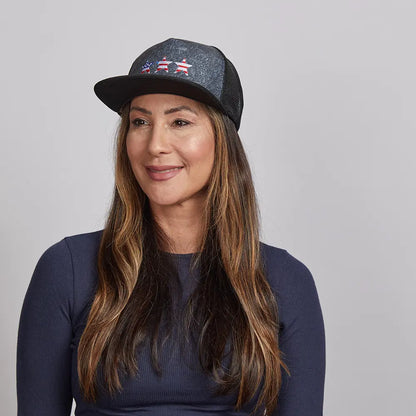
302 341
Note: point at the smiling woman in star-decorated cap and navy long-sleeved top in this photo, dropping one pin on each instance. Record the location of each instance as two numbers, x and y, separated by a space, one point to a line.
175 308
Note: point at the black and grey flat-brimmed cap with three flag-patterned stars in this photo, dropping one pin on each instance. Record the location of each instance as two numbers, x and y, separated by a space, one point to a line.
180 67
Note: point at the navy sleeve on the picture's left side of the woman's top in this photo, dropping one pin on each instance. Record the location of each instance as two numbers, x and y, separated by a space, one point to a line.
44 337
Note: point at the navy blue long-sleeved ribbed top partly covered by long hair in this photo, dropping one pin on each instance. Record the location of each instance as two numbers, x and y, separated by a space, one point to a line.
54 315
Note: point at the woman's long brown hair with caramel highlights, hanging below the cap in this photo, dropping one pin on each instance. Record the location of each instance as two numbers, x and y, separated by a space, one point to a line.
236 307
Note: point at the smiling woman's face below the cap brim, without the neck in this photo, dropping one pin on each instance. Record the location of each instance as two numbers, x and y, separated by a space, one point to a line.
170 145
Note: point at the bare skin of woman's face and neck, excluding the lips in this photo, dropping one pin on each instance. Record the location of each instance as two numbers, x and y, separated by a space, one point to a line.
172 130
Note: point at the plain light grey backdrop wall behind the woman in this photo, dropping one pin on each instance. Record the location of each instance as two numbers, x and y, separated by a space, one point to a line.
328 125
